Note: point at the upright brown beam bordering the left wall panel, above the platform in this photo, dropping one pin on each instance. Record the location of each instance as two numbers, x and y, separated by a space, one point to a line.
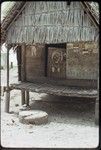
23 61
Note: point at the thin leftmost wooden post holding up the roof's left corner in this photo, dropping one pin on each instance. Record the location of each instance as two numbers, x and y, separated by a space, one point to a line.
7 100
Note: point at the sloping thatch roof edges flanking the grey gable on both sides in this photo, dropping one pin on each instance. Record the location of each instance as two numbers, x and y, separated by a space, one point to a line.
16 7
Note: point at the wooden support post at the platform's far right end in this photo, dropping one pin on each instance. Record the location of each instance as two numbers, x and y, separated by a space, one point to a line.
97 107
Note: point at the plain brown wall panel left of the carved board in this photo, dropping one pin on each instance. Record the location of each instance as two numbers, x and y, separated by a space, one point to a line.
34 62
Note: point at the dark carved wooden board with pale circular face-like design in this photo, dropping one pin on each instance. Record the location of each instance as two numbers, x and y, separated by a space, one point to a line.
56 63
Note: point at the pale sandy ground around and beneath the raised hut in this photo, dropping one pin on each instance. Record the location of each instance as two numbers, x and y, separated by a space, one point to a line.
70 125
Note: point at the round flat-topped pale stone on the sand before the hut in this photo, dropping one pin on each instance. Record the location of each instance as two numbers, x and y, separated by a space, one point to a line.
36 117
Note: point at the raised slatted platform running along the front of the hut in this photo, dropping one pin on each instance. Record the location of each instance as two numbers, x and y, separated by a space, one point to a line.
55 90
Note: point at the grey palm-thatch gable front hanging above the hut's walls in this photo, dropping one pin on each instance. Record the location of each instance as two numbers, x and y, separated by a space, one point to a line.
52 22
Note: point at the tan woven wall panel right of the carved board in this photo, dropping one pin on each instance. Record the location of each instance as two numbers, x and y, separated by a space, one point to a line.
82 61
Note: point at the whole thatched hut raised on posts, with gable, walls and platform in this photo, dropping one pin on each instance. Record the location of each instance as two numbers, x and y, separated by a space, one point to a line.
57 47
